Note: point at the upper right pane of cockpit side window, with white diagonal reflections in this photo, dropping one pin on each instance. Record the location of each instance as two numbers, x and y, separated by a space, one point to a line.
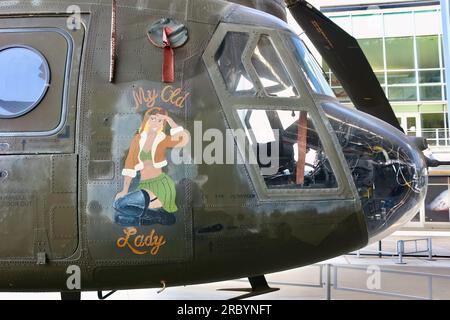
271 71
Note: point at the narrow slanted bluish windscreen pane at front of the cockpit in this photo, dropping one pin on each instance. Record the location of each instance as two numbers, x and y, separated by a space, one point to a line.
309 66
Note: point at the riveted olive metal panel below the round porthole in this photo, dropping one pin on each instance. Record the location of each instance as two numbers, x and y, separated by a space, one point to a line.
36 216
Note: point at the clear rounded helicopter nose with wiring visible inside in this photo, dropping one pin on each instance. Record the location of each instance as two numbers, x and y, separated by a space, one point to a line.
387 167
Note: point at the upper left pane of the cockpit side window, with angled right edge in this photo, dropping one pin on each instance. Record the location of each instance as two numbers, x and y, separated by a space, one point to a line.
229 59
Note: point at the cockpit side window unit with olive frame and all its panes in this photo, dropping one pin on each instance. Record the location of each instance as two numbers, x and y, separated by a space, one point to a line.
267 103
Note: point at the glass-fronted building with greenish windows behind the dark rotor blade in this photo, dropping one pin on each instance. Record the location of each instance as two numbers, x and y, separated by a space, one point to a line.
403 43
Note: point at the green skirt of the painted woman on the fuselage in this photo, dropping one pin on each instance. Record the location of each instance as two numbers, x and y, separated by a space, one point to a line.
164 188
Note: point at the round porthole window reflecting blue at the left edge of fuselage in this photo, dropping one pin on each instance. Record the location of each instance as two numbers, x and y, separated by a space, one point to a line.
24 80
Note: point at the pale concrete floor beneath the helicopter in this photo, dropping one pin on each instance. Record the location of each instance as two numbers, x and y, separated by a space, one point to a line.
357 277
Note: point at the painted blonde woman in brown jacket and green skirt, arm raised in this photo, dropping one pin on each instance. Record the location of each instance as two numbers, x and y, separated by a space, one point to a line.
154 202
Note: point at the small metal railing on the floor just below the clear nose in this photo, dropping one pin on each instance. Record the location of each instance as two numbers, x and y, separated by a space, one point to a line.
402 250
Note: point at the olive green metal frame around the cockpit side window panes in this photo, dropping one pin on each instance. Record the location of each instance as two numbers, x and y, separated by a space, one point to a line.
305 101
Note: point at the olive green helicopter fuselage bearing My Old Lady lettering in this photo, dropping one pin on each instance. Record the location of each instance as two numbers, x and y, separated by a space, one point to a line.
57 200
